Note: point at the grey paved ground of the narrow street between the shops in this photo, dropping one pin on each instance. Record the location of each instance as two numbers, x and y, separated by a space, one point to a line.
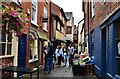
63 72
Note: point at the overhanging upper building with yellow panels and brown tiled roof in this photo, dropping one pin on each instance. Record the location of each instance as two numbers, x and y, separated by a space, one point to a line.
58 24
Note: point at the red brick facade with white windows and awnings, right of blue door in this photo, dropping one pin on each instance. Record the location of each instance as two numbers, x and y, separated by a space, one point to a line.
39 22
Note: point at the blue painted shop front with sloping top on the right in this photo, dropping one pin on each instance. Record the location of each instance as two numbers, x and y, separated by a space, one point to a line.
106 47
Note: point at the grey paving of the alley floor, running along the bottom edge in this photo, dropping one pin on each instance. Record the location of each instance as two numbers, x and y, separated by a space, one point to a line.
61 73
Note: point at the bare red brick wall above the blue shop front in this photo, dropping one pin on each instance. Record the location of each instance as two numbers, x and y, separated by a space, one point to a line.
102 11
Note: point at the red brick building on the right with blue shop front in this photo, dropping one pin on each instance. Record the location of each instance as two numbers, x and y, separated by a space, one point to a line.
102 20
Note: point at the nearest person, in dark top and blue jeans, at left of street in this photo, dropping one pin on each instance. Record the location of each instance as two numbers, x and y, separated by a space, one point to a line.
49 58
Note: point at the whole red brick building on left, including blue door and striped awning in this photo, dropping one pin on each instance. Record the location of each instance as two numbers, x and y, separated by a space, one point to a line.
27 51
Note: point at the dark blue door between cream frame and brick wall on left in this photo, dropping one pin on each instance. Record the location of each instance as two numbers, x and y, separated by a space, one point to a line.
22 52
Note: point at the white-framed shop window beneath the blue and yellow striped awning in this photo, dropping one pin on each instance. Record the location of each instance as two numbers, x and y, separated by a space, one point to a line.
33 50
